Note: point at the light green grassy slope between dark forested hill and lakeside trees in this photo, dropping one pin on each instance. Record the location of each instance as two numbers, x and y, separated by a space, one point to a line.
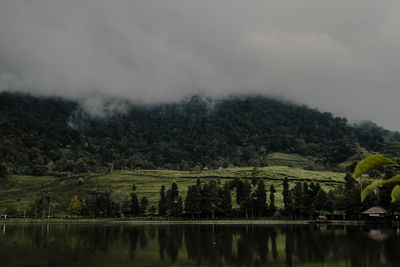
20 191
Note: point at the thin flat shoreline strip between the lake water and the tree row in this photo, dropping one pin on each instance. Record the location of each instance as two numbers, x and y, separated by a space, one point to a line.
175 222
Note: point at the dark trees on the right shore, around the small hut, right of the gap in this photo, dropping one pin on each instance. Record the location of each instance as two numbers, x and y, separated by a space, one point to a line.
309 200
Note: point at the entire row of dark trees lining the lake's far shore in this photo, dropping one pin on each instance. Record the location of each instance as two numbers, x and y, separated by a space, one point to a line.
234 198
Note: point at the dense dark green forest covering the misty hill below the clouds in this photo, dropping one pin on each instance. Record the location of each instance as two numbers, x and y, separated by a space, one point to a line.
54 136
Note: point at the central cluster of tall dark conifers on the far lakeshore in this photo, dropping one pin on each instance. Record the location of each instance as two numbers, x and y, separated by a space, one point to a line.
212 199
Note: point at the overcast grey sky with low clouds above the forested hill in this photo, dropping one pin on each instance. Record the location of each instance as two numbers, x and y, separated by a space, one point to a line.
339 56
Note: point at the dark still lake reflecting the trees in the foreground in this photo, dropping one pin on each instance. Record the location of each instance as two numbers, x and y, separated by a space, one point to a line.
197 245
